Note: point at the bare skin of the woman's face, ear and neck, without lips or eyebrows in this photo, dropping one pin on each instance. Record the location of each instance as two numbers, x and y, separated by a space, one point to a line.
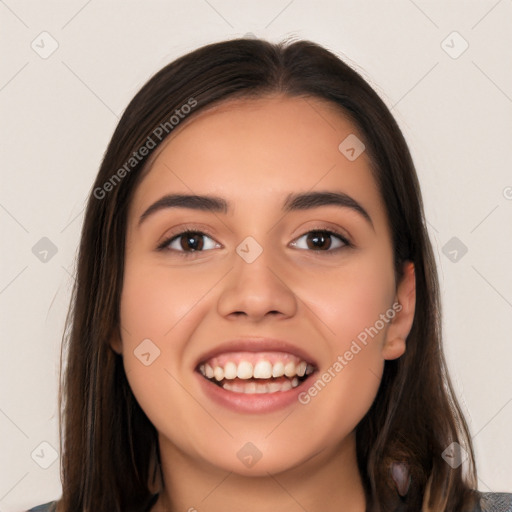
254 153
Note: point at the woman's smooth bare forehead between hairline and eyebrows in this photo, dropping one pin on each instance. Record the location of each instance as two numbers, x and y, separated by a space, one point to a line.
259 147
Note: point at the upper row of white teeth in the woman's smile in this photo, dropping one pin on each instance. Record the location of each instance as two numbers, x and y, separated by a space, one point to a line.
261 370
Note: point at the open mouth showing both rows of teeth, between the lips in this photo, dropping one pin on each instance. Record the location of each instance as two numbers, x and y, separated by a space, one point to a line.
252 373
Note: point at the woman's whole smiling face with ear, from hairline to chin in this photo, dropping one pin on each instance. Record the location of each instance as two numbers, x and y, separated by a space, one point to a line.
265 286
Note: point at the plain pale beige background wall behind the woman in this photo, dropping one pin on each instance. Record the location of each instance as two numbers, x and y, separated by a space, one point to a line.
59 112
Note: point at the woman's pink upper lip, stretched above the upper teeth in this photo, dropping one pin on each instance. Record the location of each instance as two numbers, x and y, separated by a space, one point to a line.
257 345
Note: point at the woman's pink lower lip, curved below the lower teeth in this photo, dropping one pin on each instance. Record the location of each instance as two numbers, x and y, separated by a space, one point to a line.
251 402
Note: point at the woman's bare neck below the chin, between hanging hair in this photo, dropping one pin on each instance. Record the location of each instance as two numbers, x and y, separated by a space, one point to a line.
328 482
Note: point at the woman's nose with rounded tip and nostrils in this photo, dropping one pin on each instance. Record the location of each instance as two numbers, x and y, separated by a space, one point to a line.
257 289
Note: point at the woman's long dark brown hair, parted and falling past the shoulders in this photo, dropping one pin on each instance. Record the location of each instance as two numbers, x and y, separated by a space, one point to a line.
109 447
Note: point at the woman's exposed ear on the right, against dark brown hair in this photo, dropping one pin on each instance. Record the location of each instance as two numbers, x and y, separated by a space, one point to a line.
404 307
